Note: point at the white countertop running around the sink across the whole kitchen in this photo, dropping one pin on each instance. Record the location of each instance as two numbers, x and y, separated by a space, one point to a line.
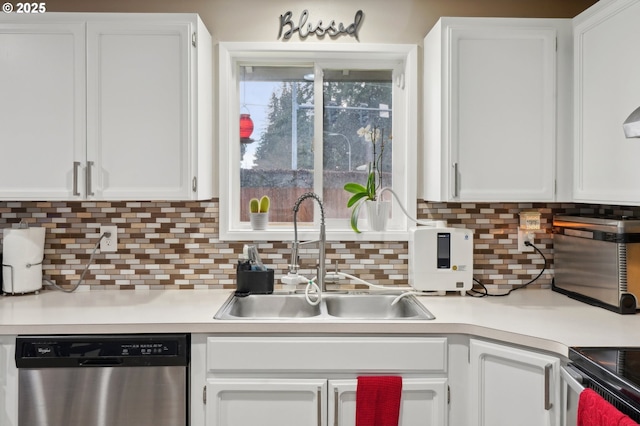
536 318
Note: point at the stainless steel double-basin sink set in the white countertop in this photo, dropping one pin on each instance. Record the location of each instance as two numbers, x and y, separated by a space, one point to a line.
334 306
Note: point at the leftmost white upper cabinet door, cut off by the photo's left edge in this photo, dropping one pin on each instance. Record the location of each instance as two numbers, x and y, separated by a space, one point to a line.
42 110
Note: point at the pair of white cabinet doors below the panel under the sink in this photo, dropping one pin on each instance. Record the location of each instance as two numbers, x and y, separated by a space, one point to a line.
315 402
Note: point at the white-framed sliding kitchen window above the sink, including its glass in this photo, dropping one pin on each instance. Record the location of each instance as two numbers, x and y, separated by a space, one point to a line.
311 105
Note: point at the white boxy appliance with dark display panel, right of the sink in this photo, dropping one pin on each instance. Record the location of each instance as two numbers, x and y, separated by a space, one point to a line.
441 259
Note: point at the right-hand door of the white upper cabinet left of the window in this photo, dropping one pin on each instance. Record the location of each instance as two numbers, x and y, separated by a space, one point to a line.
138 82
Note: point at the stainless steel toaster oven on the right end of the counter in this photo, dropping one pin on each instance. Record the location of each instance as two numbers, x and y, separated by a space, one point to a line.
597 260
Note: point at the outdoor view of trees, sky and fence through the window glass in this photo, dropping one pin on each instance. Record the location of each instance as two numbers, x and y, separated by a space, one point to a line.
280 160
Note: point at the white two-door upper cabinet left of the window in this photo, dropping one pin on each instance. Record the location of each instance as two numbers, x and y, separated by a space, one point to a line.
130 102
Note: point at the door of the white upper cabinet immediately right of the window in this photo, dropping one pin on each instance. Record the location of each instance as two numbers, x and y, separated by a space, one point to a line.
503 86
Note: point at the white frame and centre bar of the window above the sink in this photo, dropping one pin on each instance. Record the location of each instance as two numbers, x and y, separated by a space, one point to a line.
401 58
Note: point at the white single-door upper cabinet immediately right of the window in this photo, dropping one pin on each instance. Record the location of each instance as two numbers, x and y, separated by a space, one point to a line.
490 109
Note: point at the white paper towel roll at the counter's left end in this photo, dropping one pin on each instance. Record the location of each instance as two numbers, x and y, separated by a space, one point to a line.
23 250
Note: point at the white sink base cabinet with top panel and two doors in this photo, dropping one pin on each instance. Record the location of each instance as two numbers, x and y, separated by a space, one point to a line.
296 381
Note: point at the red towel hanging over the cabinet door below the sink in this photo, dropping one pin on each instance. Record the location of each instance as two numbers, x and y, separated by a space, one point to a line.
378 400
